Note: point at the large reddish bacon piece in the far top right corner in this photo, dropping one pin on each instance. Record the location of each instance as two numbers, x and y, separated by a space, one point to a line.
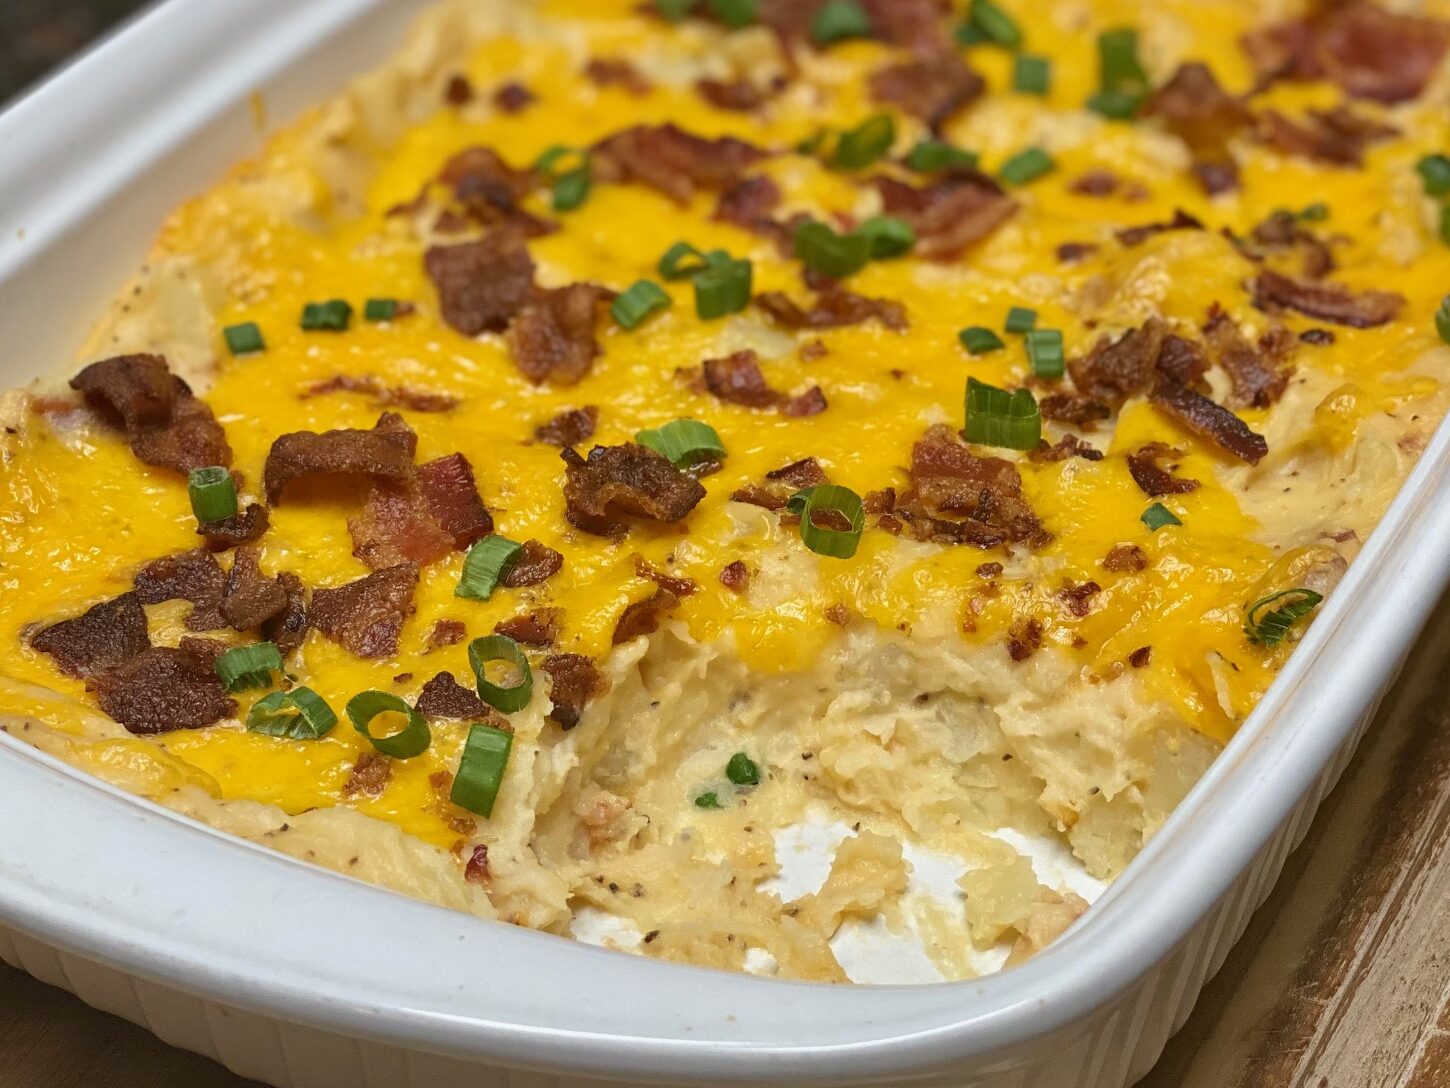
1370 51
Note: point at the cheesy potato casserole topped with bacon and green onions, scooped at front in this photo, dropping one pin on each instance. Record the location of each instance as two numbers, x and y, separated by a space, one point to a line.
618 442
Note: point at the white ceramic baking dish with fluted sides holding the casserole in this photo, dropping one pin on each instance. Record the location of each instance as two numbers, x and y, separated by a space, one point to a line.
299 977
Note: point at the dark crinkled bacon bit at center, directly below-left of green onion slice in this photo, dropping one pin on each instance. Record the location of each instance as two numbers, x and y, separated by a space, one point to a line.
626 482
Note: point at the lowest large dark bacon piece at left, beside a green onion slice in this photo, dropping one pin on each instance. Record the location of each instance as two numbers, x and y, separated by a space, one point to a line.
163 690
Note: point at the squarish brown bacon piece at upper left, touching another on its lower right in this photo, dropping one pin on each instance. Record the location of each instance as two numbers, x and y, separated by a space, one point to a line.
482 287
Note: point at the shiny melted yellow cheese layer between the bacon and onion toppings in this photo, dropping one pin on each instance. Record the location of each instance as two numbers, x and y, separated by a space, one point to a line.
80 514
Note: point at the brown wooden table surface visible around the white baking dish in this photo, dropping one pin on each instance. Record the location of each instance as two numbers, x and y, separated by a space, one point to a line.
1343 980
